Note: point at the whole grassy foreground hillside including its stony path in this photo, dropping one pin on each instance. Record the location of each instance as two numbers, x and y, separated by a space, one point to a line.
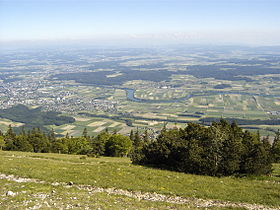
114 183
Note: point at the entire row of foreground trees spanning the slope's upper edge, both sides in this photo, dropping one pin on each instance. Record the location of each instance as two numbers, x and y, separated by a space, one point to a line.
222 149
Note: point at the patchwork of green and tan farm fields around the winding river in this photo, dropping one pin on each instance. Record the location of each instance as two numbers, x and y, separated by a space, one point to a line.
153 115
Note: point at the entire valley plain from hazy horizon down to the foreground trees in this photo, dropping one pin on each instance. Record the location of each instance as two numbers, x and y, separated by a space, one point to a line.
124 89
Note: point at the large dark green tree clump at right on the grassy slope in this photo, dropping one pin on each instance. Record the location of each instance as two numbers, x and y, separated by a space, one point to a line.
222 149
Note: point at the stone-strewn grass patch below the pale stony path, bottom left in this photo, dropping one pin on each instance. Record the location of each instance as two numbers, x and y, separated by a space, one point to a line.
46 196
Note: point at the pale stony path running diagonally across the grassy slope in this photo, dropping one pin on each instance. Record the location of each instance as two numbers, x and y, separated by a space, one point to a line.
154 197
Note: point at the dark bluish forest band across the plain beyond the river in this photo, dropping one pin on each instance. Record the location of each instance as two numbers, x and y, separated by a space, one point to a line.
236 70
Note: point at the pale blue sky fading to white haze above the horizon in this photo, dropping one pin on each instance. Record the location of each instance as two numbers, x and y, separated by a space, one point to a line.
251 22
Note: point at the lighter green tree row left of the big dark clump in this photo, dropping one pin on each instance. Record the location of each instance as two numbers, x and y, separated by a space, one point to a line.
35 140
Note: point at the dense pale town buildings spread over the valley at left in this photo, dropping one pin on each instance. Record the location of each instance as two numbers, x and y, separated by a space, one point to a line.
51 95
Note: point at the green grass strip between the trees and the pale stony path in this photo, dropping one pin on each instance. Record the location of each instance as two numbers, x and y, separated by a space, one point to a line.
120 173
